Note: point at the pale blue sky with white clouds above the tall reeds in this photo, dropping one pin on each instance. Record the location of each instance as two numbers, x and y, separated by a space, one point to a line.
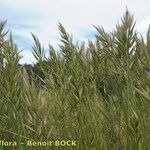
41 17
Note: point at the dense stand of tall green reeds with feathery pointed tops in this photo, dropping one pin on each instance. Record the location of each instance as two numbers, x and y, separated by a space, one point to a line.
95 95
